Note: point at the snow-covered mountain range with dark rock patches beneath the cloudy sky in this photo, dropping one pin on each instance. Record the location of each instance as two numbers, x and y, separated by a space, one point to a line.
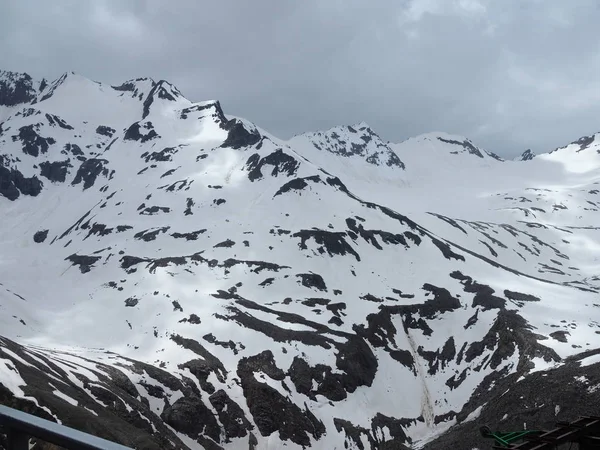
174 277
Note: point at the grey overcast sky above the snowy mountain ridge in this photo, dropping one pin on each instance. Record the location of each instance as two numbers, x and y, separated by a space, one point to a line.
509 74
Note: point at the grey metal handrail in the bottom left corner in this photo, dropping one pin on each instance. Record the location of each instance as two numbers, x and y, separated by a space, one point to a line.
20 427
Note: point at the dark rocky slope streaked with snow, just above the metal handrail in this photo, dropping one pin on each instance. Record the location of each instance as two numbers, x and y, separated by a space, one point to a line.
125 419
